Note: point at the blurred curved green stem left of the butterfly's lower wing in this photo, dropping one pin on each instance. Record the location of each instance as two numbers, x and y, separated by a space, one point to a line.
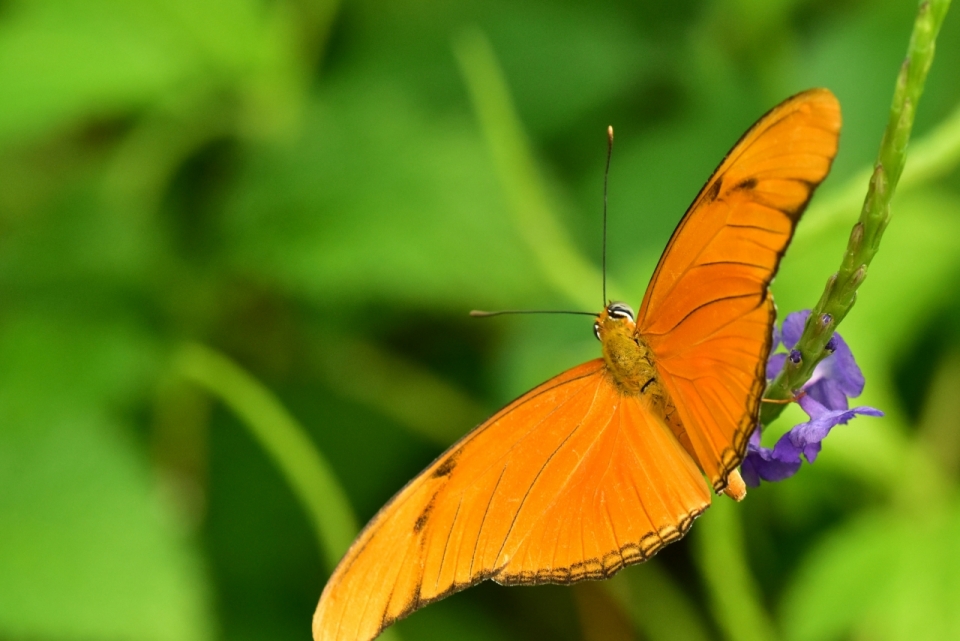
285 440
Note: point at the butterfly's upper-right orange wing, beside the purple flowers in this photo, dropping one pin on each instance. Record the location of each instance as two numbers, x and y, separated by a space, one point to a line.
707 312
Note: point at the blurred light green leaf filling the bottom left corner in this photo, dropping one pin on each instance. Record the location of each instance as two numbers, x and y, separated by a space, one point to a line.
86 549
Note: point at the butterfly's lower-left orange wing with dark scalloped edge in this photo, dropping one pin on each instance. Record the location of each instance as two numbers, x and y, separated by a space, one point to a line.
571 481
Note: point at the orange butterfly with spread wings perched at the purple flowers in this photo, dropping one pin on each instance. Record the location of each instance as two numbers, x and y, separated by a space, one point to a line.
603 465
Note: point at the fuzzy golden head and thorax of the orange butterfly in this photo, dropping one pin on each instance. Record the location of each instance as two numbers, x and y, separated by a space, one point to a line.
629 360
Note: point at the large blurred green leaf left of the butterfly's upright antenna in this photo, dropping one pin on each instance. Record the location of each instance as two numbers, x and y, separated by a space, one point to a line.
417 216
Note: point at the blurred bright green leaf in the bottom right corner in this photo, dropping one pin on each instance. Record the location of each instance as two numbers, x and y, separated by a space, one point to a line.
885 575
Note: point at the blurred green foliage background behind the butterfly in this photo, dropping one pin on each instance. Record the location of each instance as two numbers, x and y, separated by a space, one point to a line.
318 193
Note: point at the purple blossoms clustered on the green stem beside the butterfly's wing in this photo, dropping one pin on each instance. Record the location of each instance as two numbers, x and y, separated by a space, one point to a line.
824 398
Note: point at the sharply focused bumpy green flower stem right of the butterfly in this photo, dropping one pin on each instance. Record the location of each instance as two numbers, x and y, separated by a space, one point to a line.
841 290
